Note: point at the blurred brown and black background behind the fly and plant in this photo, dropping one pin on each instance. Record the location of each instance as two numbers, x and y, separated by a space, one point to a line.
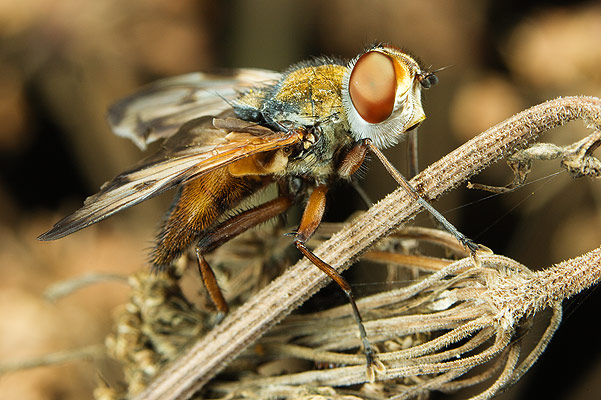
62 62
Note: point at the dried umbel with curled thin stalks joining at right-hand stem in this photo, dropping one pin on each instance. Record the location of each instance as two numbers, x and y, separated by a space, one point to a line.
440 355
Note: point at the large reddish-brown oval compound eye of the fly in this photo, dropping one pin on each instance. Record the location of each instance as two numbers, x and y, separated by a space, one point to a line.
372 86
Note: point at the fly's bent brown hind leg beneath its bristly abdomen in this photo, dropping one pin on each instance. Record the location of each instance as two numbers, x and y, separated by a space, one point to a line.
225 231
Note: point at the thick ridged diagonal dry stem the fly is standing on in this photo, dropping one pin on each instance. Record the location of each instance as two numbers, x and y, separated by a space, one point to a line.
211 353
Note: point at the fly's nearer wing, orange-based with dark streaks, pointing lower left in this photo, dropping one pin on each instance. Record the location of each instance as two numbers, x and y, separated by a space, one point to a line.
197 148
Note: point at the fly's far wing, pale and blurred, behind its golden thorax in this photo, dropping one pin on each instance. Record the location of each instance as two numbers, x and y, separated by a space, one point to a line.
158 110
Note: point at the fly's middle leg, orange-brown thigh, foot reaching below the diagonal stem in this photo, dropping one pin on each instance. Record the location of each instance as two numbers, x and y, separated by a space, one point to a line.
310 221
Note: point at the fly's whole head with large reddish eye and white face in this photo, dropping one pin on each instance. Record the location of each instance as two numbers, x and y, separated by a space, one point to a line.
381 95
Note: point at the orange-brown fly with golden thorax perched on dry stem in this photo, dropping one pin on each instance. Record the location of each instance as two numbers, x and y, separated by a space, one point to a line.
301 130
